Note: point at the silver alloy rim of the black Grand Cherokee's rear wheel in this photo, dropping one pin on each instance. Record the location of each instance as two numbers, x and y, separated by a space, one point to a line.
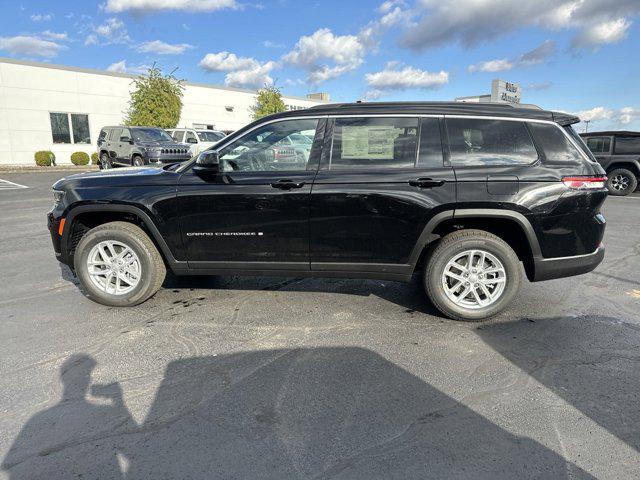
474 279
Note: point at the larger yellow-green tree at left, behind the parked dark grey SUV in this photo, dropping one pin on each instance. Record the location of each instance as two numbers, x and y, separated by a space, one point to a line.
156 100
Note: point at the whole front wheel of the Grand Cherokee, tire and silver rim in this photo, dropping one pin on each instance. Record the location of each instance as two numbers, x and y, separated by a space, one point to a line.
118 265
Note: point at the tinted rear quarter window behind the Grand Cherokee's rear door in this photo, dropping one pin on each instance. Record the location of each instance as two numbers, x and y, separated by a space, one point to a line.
488 142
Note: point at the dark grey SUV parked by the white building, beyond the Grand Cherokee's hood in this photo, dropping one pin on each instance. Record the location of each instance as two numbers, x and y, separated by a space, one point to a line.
138 146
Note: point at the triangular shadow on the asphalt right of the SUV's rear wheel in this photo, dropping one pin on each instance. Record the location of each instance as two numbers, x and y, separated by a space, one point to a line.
590 362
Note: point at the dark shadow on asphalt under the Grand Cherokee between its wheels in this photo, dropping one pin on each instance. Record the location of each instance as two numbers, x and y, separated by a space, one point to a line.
410 296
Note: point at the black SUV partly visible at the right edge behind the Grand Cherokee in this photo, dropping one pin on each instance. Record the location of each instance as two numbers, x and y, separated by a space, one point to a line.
619 154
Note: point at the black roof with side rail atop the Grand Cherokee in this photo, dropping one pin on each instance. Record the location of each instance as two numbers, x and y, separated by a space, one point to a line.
436 108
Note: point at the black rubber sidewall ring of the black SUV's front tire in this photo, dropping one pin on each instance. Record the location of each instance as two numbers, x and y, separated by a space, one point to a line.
140 292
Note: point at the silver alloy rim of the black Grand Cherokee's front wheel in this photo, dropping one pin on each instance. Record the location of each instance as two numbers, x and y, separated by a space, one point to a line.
114 267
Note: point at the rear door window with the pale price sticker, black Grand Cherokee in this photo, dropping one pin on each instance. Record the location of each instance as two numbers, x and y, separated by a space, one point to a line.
374 143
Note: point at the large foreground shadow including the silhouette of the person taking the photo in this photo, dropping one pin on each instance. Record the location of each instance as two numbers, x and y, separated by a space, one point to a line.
274 414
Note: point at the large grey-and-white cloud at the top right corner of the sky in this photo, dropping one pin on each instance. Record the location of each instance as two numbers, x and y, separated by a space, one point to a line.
437 22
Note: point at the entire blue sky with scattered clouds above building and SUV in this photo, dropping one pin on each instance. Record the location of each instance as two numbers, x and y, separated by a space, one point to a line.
578 56
